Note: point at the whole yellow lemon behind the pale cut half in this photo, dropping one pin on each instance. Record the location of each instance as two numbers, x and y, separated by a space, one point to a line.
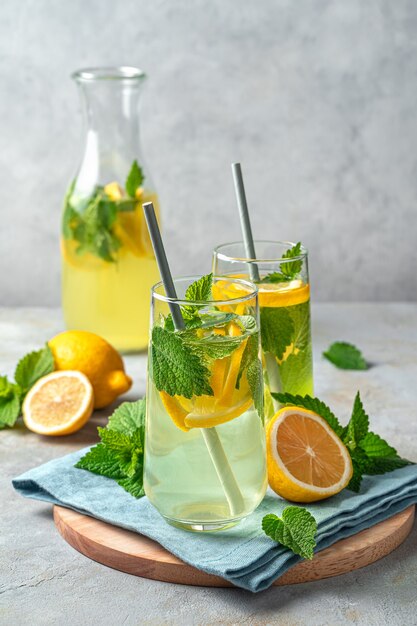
96 358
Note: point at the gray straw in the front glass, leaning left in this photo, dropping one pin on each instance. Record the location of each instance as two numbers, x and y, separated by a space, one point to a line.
210 435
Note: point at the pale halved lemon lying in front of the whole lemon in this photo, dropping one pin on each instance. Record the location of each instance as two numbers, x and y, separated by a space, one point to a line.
59 403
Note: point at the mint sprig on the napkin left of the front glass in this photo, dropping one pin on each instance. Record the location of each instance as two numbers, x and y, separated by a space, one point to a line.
120 454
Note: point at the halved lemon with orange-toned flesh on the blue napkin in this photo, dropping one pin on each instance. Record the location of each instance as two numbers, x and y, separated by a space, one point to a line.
306 460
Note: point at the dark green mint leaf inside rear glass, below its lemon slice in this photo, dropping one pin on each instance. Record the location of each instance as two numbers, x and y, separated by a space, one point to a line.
277 328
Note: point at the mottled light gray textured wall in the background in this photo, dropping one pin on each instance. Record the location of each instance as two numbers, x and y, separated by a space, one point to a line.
318 99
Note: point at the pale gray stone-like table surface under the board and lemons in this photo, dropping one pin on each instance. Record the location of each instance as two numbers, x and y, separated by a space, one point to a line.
45 581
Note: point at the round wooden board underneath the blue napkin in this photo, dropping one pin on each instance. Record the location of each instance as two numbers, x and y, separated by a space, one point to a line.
138 555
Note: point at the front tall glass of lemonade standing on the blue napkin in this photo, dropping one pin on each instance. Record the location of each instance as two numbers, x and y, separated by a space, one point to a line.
205 466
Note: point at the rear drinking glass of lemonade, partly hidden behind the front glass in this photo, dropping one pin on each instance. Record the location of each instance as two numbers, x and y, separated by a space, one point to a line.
284 302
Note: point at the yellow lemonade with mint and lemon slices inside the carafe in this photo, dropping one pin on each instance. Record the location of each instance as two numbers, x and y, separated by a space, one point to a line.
108 266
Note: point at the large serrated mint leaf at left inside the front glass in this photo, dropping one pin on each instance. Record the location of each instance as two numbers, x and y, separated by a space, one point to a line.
175 367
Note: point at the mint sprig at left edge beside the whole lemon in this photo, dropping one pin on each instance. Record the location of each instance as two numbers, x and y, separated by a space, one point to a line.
28 371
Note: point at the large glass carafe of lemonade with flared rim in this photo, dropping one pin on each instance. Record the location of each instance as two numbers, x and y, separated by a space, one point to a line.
108 266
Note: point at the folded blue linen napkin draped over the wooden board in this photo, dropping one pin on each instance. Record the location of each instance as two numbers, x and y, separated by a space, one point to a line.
243 554
